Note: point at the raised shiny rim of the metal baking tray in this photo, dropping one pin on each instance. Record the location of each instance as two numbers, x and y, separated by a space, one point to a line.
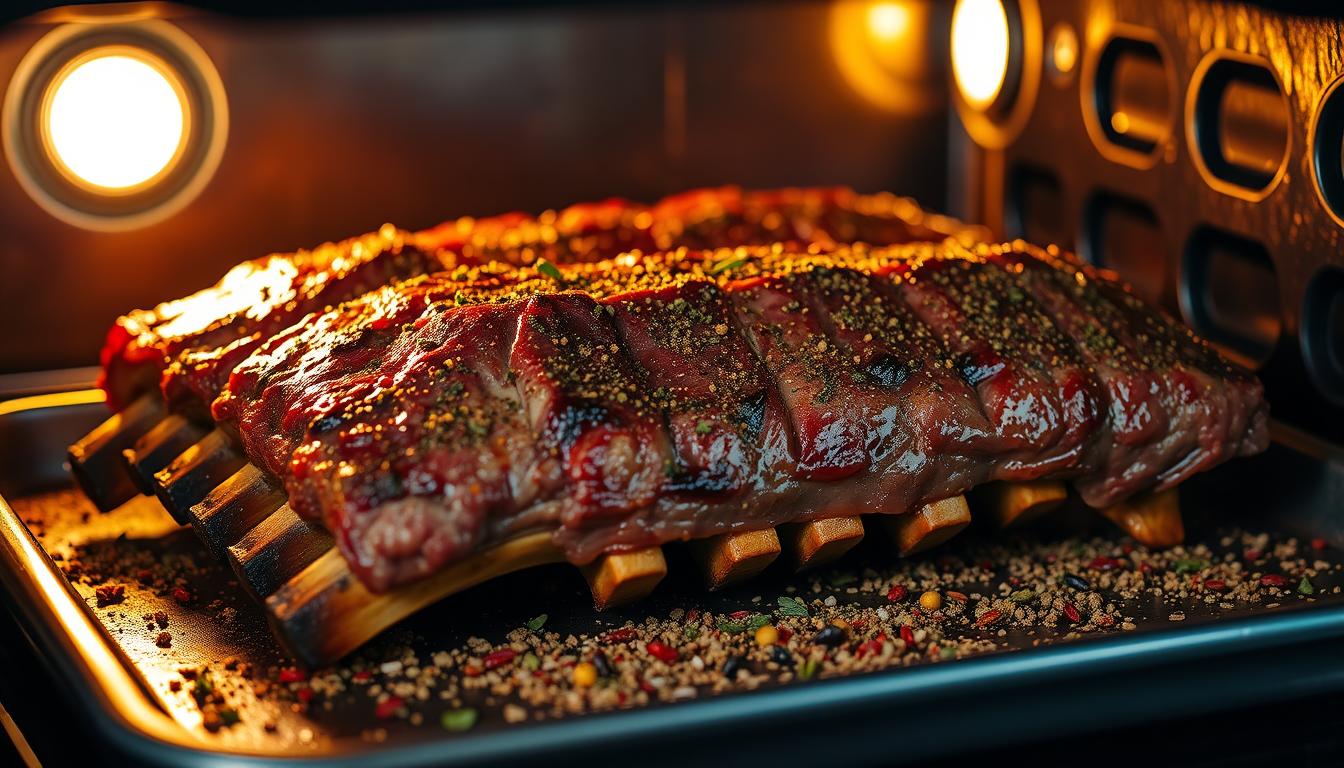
123 711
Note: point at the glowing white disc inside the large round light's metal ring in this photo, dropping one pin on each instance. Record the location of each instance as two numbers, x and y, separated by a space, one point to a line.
115 122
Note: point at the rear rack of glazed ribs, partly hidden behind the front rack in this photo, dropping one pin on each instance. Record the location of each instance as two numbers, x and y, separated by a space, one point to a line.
192 345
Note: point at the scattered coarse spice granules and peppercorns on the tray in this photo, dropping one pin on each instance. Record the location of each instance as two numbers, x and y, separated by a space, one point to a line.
991 597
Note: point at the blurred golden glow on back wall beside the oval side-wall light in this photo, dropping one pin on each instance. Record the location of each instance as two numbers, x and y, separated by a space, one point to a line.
884 53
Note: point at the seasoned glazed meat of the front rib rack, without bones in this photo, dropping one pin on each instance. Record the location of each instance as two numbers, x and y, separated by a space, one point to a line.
682 395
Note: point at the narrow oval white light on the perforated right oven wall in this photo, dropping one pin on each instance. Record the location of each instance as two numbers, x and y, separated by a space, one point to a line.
980 46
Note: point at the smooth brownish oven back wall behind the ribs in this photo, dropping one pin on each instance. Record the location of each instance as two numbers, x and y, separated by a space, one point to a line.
341 124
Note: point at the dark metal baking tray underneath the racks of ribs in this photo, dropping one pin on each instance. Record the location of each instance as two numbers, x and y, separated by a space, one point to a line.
1022 692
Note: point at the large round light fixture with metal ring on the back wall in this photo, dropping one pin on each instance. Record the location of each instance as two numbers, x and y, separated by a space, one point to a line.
115 126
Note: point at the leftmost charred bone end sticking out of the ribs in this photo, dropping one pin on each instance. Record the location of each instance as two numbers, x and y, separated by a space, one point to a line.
97 462
